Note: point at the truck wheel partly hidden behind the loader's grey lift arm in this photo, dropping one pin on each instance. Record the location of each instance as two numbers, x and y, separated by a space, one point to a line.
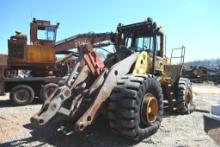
47 90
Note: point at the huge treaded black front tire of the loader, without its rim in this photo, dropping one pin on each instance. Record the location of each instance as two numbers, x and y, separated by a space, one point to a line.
125 106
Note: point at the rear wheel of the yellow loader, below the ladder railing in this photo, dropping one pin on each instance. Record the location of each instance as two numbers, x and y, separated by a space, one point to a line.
184 96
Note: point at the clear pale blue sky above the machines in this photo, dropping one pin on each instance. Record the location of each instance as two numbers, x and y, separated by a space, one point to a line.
193 23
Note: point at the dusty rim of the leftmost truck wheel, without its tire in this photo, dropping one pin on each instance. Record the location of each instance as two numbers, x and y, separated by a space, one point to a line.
22 95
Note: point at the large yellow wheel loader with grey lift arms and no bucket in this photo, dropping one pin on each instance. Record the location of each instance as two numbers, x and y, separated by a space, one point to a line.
132 84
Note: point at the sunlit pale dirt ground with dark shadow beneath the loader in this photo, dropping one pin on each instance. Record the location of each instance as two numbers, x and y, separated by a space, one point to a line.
176 130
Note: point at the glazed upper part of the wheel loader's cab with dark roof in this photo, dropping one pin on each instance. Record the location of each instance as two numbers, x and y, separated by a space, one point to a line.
144 36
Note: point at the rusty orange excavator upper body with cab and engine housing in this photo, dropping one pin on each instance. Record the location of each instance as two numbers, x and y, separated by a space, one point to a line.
37 56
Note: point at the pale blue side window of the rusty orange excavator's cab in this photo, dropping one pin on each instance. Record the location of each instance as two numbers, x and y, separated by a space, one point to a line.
46 34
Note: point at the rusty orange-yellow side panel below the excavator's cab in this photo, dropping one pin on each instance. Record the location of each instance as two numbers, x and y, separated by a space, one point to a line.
40 54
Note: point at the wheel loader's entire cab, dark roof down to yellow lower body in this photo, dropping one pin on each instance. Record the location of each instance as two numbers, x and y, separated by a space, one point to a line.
144 36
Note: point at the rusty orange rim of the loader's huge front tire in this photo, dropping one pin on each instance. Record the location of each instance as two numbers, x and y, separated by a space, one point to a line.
149 109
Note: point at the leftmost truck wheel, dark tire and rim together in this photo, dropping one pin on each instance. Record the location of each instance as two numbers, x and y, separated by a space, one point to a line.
21 95
